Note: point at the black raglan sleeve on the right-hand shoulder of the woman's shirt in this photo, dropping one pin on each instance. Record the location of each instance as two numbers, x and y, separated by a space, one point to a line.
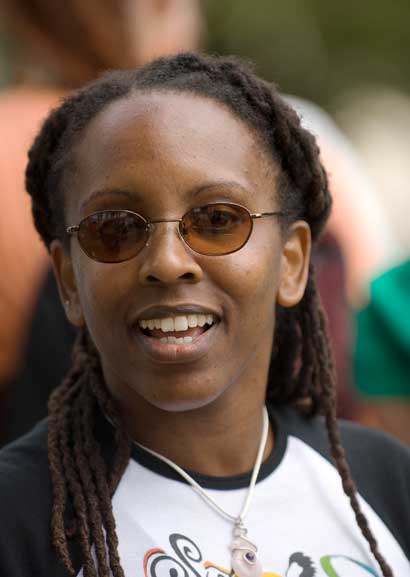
379 464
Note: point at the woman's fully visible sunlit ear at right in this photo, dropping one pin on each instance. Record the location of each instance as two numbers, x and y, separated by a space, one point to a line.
295 264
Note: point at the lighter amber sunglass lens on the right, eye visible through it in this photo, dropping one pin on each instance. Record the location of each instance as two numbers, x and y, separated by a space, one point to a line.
216 229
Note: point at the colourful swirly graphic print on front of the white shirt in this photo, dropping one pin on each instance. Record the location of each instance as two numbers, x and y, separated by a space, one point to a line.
186 560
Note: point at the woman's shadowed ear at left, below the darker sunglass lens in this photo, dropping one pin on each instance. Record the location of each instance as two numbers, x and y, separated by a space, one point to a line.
66 282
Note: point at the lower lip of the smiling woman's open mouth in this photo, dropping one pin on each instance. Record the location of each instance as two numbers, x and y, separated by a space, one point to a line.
164 353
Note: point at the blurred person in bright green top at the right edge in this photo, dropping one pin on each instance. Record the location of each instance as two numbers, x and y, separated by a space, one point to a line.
382 352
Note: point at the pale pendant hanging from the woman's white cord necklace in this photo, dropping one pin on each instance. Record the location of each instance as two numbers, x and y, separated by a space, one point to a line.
244 561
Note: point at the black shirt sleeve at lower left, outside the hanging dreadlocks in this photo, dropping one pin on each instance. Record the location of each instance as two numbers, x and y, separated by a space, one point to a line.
25 510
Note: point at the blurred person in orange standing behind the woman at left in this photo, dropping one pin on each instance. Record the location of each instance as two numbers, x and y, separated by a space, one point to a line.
55 51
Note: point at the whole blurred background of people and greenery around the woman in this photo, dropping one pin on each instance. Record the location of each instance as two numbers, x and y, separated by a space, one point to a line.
343 66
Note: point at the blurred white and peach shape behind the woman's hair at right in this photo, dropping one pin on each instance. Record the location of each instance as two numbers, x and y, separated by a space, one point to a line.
357 221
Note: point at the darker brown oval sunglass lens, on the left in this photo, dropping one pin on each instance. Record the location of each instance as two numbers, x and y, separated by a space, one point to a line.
112 235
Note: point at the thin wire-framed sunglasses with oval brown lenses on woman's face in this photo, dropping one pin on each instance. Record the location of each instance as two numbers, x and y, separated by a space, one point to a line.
214 229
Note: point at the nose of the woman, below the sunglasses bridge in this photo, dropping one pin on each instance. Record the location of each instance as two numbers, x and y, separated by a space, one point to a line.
167 259
